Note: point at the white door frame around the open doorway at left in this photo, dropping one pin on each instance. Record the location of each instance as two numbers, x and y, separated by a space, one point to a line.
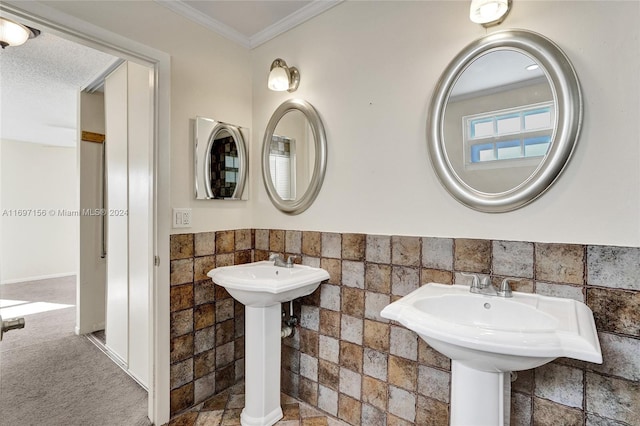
71 28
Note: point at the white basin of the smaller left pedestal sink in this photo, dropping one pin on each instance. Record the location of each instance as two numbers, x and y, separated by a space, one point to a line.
262 284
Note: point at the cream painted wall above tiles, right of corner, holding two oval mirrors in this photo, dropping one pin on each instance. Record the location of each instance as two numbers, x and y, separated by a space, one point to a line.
370 68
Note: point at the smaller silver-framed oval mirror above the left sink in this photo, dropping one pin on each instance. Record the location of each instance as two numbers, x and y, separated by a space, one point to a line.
294 156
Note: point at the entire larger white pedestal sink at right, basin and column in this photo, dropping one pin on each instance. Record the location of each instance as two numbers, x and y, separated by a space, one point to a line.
488 336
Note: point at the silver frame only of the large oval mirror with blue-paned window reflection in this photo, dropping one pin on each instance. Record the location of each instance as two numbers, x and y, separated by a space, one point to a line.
568 98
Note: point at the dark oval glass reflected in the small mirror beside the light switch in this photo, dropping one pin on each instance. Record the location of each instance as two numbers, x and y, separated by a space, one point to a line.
224 166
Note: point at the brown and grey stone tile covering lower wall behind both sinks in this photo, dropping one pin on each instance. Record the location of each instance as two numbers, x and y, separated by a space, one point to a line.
348 361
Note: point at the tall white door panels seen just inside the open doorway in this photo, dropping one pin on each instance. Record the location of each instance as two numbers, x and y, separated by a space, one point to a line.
128 120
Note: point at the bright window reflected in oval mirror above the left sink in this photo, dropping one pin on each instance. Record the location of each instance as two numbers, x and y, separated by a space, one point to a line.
282 166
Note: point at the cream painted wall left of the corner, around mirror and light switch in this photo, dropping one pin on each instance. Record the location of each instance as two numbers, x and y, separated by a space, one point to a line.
210 77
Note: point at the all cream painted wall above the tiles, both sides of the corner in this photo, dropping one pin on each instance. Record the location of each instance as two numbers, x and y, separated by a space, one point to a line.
370 69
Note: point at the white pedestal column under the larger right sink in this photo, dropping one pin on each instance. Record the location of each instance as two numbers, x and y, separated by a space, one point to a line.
479 397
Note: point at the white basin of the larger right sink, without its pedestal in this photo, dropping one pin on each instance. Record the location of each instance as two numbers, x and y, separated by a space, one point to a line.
497 334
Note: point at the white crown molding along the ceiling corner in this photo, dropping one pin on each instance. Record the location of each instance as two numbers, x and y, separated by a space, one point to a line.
311 10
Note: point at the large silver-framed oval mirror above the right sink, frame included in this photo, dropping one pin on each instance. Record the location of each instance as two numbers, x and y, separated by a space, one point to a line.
504 120
